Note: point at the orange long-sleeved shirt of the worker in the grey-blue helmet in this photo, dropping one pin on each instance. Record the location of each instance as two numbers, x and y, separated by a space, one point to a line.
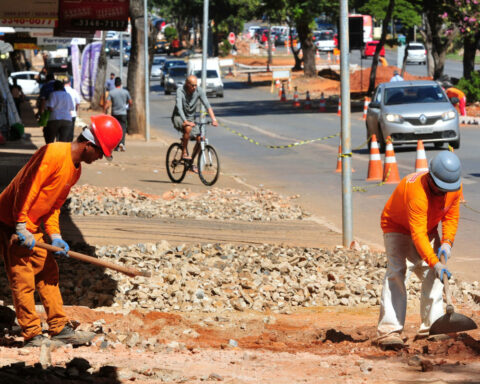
414 210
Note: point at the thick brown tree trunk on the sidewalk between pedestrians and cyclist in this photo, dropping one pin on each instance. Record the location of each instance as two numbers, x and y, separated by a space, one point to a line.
136 70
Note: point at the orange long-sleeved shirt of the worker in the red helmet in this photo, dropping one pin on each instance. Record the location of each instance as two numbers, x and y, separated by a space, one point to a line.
38 191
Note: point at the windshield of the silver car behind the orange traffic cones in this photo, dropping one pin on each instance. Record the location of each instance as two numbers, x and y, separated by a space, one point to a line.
414 95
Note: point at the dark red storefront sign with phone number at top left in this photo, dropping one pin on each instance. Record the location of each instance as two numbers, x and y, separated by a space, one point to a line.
93 15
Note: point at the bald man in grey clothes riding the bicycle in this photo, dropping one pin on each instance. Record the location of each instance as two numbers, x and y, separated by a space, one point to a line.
188 97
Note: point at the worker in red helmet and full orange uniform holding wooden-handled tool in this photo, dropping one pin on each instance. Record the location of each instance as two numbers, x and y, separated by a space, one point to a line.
34 197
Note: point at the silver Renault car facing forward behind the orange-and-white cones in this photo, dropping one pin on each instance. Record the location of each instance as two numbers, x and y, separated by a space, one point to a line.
408 111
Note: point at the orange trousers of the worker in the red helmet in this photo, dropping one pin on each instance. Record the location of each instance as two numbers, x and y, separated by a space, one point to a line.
28 270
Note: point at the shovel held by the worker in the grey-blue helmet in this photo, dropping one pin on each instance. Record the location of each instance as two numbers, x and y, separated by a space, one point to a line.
451 322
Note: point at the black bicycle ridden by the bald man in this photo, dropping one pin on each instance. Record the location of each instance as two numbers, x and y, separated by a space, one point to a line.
208 164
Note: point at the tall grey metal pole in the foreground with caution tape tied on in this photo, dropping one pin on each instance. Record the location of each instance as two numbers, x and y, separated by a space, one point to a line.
347 224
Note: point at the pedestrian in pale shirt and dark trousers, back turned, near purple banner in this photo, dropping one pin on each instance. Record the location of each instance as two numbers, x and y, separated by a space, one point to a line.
59 124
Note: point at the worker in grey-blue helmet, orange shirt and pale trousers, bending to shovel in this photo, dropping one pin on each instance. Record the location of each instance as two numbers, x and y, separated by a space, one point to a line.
409 222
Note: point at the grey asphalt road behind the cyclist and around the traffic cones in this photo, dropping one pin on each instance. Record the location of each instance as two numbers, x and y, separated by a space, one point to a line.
308 170
